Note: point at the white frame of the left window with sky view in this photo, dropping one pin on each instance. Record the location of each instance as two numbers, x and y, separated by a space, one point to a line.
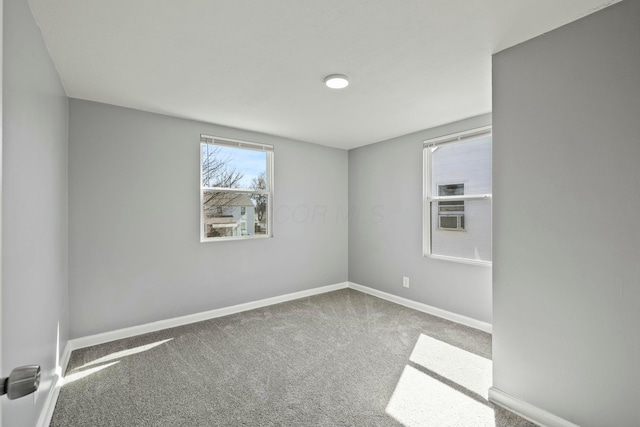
235 143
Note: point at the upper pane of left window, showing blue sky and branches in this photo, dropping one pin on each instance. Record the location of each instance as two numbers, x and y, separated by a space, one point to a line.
231 167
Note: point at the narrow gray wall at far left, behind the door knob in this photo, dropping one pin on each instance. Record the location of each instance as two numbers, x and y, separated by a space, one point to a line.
34 209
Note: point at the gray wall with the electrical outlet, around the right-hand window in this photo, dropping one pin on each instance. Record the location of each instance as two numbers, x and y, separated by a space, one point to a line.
385 231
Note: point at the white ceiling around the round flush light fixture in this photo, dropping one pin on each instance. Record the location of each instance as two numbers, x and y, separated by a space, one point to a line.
259 65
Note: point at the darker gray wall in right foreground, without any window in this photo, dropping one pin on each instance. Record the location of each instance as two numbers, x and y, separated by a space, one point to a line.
566 233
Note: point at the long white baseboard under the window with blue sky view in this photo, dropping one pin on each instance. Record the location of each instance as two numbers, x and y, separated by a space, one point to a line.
197 317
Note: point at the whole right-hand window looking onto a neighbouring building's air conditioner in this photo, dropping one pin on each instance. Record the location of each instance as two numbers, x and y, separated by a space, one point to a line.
457 199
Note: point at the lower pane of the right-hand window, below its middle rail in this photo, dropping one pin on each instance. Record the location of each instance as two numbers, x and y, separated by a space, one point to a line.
466 235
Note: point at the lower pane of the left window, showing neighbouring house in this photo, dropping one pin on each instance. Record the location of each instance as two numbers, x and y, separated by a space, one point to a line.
233 214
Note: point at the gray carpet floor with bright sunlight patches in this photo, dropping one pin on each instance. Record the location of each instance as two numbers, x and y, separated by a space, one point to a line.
342 358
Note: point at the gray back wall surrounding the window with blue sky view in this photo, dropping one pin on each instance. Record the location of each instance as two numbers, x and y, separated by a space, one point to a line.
135 254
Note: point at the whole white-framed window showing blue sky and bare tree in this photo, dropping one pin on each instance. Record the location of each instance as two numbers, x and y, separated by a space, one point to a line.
236 189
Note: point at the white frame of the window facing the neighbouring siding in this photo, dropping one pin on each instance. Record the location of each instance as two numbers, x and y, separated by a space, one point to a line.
429 147
